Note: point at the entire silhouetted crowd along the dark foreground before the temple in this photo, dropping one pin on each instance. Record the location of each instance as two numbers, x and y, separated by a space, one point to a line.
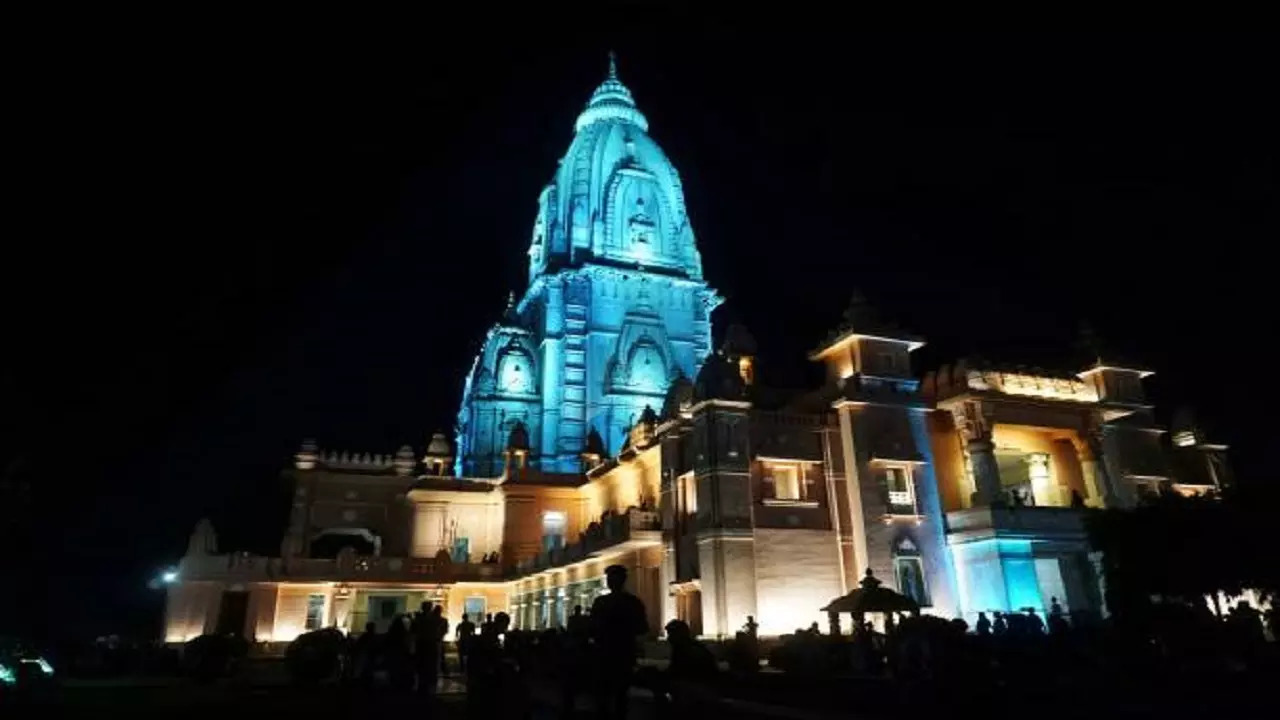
596 655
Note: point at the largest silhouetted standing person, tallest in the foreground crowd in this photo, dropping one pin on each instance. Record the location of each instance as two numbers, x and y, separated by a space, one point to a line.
618 619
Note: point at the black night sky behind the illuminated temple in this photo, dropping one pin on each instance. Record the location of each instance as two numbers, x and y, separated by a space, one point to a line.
226 244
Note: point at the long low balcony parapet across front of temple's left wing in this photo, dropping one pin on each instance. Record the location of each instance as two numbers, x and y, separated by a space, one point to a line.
408 571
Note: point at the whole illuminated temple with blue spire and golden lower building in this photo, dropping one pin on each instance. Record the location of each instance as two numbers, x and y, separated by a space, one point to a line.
600 427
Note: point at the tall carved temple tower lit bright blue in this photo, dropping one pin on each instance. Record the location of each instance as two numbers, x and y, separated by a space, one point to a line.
616 307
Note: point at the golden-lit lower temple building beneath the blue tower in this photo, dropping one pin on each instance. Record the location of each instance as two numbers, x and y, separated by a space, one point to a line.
964 490
